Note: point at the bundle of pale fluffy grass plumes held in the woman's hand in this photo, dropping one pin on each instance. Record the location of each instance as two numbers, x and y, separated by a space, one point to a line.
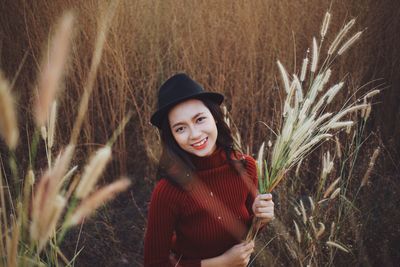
305 121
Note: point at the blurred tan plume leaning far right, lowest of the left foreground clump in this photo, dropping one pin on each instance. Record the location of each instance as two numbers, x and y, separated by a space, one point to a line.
95 200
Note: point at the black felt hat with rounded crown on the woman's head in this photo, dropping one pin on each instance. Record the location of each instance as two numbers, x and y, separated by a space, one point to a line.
176 89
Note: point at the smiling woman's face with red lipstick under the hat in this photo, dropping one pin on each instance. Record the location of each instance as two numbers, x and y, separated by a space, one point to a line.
193 127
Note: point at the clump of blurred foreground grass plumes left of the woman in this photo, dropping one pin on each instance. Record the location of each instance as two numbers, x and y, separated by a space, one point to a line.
36 214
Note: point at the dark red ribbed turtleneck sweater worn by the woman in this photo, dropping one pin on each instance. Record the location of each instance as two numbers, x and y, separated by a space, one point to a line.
204 221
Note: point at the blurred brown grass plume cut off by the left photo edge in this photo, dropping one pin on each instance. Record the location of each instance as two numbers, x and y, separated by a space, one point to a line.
8 118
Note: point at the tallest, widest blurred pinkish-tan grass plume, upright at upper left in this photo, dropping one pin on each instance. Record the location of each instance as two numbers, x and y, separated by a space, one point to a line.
53 69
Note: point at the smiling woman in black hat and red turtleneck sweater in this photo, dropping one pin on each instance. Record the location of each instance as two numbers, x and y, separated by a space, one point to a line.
202 207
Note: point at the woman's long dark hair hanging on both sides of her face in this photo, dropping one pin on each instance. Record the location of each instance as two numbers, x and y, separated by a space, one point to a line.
175 163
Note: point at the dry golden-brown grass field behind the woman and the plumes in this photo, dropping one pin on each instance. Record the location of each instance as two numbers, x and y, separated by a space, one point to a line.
230 47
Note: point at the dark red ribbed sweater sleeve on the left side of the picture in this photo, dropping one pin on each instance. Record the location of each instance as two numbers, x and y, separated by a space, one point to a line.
161 221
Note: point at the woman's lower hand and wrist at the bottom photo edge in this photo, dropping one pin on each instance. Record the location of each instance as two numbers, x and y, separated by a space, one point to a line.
237 256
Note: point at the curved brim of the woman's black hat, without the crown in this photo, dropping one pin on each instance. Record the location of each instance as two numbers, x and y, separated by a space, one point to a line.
158 116
